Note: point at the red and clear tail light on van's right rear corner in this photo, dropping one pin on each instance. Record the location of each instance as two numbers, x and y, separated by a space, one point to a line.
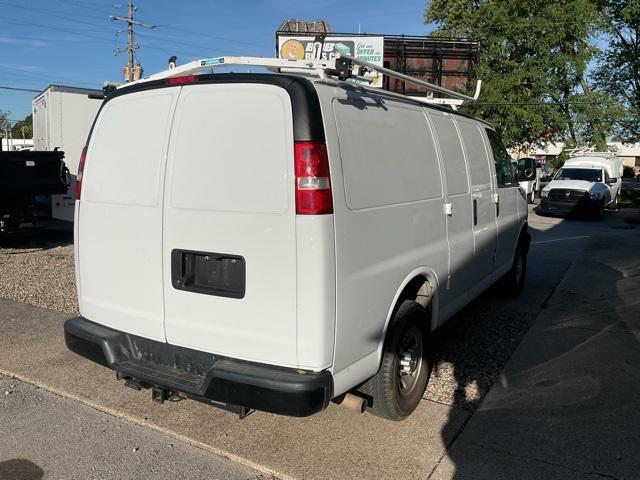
313 185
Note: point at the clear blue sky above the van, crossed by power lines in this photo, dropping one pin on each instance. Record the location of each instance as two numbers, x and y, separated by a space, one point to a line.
71 42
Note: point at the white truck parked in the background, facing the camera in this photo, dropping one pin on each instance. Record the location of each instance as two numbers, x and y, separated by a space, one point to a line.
585 184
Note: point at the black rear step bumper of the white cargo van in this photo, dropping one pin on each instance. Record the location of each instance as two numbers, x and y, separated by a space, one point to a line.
200 375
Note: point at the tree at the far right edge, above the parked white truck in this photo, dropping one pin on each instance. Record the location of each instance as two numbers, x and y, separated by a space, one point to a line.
618 70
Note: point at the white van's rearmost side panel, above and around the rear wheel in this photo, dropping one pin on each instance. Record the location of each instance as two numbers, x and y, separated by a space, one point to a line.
388 214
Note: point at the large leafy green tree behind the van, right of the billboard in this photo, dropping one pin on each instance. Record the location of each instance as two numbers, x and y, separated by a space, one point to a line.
533 58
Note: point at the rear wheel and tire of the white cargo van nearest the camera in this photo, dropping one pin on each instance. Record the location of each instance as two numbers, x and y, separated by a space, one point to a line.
396 390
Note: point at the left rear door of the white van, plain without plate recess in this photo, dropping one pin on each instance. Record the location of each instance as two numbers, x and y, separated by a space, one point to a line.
119 225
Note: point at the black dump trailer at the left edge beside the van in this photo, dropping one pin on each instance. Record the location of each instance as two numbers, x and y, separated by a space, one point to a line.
25 175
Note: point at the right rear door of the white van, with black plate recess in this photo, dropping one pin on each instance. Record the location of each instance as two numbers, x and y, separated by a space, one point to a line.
229 243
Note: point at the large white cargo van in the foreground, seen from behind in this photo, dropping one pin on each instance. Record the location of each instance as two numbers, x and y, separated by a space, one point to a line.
282 240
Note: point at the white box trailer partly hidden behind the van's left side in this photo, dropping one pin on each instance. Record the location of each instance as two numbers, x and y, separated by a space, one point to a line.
62 118
